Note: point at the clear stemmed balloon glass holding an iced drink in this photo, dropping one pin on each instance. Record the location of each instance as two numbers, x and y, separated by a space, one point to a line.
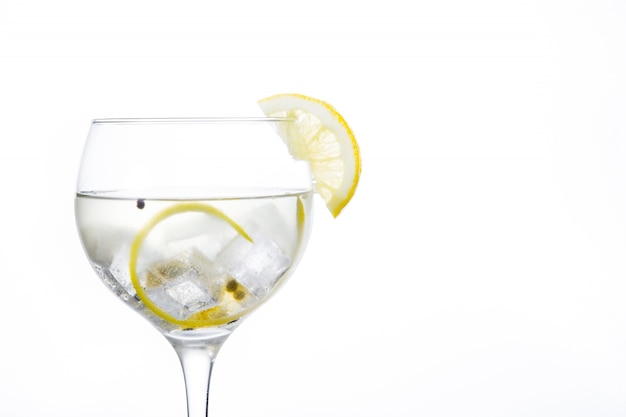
193 223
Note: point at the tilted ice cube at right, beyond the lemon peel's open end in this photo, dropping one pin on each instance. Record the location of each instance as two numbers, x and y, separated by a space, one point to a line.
257 264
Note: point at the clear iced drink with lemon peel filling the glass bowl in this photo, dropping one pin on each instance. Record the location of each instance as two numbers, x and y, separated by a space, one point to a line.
190 263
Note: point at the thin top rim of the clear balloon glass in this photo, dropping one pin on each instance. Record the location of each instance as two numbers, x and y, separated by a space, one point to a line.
190 120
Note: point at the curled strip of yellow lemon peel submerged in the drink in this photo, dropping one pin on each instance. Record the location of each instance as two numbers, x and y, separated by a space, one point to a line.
231 290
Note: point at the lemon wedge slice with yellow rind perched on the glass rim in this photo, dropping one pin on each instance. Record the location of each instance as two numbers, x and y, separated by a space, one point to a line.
321 136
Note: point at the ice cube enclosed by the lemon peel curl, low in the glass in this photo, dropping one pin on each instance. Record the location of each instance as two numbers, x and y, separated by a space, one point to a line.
184 284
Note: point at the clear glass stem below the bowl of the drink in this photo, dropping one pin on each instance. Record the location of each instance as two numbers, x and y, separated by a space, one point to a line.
197 358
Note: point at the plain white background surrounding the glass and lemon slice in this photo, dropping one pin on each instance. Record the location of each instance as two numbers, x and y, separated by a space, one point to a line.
480 269
